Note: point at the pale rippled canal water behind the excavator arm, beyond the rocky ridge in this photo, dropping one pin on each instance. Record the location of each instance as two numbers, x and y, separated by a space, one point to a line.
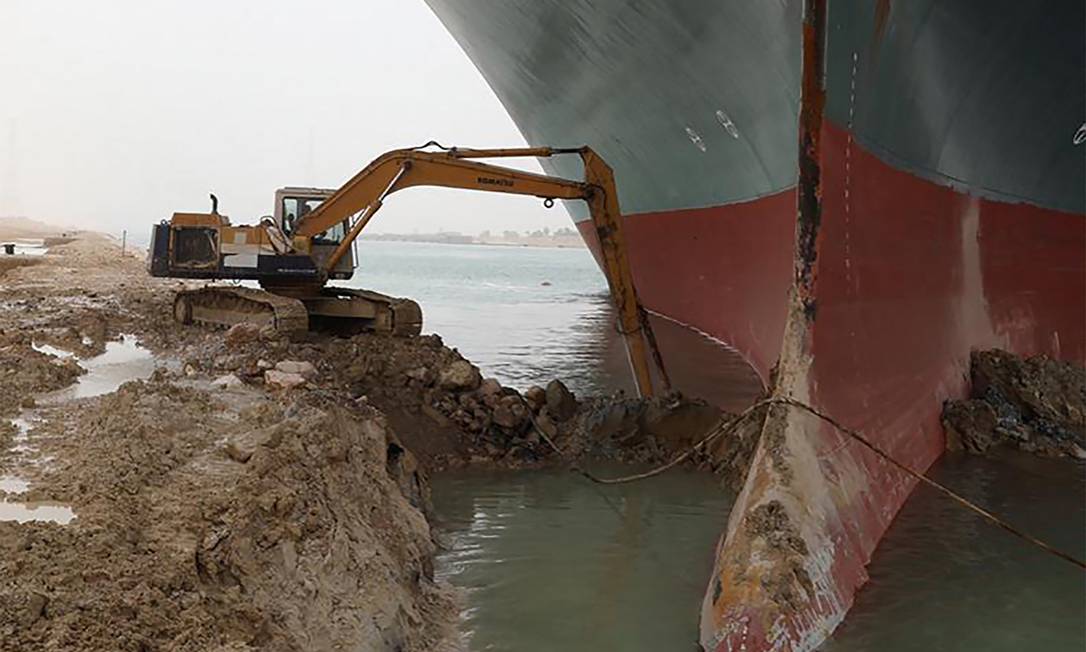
527 316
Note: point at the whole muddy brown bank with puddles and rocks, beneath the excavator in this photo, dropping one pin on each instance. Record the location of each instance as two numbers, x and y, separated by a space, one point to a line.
257 493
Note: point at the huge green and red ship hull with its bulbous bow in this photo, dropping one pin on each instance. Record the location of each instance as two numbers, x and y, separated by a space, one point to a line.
954 170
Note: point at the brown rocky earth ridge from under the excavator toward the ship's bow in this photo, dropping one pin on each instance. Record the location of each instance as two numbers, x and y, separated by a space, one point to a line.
449 416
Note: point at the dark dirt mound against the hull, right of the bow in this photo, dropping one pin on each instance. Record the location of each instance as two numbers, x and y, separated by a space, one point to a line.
1036 405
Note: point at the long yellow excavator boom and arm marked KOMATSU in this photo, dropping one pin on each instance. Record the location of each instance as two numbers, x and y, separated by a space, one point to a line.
365 194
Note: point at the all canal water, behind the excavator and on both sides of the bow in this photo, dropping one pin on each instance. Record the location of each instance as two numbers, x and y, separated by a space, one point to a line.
548 561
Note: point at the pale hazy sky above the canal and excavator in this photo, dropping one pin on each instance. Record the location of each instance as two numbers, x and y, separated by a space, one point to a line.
115 115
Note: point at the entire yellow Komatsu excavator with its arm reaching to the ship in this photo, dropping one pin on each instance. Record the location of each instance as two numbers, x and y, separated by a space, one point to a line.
314 257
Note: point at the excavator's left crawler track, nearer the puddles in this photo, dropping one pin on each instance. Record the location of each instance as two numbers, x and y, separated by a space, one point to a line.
226 306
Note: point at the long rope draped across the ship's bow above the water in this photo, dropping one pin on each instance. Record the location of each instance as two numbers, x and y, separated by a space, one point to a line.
725 428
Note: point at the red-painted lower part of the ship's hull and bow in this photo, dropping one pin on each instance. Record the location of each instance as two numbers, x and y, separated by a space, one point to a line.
912 278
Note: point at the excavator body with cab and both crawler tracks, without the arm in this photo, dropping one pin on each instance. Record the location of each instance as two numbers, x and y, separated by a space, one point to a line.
295 271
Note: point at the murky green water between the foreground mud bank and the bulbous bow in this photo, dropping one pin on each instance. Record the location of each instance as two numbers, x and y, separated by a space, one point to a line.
551 562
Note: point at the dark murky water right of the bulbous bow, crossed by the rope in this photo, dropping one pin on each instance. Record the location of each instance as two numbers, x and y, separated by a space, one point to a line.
943 580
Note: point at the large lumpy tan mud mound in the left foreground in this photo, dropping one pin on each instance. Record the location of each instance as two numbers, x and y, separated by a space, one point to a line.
234 524
